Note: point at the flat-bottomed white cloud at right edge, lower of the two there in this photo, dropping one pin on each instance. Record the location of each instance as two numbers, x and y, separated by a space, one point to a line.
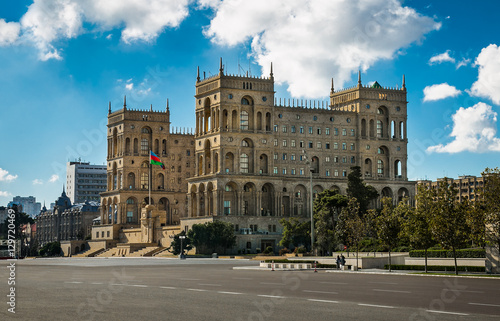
474 130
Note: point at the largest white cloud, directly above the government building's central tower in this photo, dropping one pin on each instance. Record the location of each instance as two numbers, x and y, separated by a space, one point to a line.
311 41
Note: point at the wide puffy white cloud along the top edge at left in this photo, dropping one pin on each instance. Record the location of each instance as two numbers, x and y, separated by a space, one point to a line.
48 21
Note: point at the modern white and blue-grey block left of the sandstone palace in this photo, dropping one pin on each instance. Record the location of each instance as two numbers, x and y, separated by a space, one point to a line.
85 182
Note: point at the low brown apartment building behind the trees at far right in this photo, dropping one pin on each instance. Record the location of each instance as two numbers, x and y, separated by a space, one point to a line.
468 186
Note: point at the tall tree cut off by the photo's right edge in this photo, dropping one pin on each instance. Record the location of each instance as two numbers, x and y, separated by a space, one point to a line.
491 205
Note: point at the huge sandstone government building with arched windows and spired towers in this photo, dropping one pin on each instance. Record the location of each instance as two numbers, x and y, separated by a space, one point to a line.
250 160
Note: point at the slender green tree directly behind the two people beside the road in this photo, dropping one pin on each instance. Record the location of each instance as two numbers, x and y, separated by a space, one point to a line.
351 227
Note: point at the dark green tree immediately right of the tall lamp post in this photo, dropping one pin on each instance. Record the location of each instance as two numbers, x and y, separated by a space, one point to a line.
327 207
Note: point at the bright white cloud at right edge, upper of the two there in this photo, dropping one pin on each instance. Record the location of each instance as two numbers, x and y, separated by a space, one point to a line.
488 80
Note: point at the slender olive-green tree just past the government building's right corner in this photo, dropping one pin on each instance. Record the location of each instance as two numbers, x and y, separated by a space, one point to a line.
416 224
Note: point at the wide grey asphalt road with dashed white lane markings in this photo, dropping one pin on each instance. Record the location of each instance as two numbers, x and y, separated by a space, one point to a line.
210 289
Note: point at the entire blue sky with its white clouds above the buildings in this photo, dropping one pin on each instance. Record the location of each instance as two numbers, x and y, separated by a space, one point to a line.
61 61
